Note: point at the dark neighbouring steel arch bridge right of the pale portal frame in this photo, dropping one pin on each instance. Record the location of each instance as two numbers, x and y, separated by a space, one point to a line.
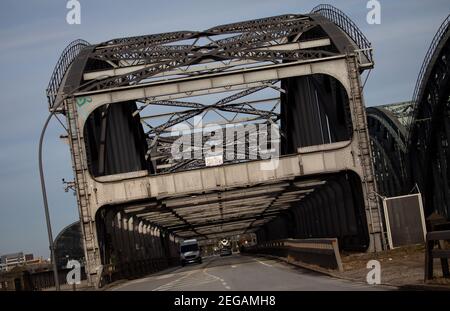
411 140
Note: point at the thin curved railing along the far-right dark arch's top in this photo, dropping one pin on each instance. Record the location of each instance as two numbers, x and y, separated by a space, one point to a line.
418 89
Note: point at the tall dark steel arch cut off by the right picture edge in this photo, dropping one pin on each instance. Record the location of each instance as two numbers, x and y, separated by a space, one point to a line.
429 131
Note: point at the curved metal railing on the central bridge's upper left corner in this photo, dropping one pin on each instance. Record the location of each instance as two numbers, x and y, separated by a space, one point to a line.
64 61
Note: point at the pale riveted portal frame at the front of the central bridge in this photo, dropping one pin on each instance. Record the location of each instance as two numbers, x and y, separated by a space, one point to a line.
354 155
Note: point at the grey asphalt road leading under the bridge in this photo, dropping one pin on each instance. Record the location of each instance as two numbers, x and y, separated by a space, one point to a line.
240 273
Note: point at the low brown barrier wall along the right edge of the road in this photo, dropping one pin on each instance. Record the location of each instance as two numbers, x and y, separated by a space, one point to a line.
321 252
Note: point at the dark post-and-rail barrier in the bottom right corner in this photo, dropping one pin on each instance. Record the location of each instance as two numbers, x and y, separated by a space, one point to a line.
437 238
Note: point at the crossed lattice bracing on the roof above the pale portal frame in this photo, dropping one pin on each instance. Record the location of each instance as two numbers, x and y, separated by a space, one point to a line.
261 40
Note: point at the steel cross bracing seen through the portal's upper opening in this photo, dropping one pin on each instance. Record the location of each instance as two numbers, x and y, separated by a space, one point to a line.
160 138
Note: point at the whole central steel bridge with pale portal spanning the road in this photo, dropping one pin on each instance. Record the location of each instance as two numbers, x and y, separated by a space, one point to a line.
124 100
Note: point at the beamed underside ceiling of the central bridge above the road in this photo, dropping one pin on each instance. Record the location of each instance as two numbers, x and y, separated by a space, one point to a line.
230 212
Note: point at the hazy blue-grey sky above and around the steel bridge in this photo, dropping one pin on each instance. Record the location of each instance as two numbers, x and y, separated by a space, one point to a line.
33 34
